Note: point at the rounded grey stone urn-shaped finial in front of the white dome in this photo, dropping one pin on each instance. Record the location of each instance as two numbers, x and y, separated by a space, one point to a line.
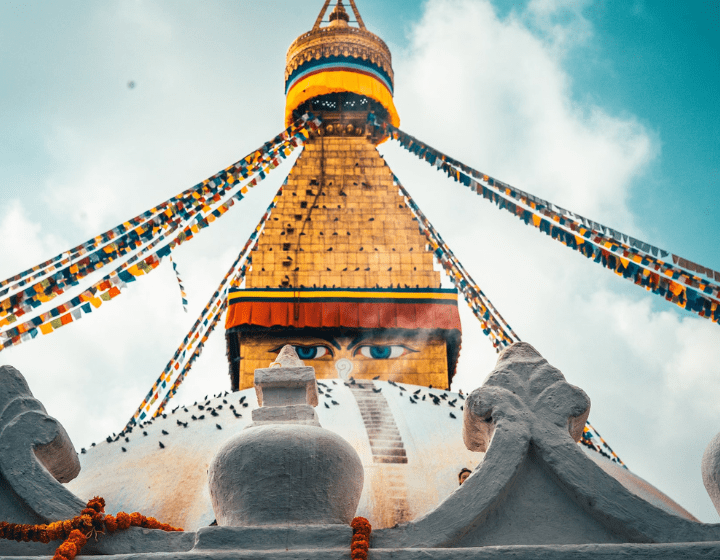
285 469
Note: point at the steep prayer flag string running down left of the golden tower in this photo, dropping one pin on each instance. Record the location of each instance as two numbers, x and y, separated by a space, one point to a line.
209 315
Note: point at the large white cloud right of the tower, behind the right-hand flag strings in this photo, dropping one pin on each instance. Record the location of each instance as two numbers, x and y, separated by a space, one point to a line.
497 94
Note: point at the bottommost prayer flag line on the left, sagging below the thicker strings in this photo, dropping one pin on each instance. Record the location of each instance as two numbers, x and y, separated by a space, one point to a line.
112 284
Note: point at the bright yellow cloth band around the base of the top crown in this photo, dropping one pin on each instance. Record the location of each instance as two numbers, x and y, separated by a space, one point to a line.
334 81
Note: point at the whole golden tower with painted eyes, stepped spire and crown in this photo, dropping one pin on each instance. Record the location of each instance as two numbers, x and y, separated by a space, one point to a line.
341 270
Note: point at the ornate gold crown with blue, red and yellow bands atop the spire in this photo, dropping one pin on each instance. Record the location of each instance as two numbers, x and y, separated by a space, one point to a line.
339 58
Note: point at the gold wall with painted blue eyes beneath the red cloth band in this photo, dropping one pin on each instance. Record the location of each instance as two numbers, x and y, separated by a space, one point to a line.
414 359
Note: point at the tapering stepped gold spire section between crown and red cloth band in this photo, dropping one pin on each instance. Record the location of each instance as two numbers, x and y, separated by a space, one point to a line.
342 223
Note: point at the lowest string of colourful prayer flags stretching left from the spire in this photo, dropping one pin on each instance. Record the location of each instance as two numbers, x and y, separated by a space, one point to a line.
111 285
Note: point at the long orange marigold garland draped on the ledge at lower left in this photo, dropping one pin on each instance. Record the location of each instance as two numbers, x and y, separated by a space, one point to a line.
75 532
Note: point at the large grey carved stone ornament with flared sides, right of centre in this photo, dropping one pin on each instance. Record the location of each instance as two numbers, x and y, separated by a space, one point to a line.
535 485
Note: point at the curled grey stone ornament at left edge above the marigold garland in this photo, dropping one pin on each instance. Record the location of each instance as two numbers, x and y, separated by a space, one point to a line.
36 455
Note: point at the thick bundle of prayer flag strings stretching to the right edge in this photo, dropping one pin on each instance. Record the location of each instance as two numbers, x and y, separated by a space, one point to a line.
633 259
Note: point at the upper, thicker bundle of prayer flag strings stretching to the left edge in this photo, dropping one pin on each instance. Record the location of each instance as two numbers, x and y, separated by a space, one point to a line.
186 206
